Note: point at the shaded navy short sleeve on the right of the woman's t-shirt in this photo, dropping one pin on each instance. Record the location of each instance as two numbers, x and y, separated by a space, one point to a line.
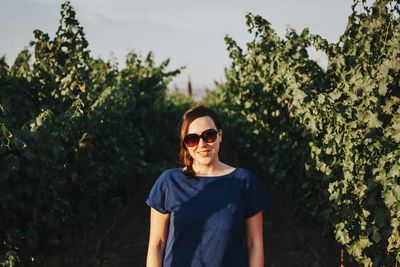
255 197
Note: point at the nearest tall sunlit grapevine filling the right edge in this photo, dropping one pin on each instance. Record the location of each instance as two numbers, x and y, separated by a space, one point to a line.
364 103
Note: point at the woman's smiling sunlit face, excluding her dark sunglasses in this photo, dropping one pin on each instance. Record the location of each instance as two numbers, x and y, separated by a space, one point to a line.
204 153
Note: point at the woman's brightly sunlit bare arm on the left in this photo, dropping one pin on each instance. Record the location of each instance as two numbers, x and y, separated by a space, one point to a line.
157 239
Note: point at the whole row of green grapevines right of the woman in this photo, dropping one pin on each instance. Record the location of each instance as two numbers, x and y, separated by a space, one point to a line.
338 129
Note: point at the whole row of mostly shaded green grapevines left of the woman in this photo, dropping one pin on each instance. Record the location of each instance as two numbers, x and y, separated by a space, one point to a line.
77 134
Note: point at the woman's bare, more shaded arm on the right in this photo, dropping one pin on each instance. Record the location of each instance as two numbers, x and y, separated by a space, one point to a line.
254 240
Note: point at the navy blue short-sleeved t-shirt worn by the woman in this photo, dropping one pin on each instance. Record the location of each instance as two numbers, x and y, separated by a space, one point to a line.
208 213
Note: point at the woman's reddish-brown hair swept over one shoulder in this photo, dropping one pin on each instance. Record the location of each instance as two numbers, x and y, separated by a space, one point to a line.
190 115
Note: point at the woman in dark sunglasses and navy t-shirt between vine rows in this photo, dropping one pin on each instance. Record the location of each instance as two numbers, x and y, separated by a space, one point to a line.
207 213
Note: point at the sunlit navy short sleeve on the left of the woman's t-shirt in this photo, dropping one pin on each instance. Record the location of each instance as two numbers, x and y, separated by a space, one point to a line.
157 195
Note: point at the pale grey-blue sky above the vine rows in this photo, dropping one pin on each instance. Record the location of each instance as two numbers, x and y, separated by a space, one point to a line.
188 32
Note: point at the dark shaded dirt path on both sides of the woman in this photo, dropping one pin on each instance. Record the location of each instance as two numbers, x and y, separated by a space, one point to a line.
124 243
